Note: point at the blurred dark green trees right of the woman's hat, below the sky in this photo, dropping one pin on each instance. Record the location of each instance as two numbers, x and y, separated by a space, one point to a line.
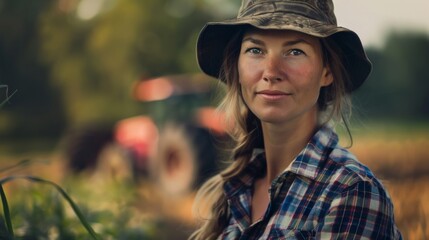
398 86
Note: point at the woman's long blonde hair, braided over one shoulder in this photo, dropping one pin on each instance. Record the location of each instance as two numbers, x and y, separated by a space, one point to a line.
211 203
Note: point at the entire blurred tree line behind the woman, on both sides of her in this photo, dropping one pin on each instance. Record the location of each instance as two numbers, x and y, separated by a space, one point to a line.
69 70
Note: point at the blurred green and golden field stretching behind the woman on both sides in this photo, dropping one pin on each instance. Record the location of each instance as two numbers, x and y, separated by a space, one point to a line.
119 209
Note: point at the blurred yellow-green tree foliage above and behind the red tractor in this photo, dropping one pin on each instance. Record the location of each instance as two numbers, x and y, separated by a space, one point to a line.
95 55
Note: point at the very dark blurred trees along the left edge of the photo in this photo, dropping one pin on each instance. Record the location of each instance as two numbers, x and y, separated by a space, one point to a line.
36 108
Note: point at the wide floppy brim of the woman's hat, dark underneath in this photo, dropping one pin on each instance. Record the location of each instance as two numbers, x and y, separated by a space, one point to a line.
215 36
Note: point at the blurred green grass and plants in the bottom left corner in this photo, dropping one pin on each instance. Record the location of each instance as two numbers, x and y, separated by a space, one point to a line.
42 209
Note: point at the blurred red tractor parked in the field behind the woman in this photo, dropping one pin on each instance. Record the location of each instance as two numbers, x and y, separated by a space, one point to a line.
176 144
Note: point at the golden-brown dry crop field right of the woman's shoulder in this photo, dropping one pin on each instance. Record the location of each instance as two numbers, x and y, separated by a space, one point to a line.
401 160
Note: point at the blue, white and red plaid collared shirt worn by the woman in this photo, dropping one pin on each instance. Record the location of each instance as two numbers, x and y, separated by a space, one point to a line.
325 193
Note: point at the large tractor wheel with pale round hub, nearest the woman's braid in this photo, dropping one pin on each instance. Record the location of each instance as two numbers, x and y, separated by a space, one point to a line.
187 156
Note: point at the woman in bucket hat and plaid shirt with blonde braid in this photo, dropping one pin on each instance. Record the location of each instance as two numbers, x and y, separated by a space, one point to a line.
289 70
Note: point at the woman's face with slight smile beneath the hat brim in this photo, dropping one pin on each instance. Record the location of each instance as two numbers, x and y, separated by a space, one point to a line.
281 73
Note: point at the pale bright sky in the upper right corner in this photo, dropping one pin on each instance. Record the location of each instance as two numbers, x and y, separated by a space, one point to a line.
372 20
